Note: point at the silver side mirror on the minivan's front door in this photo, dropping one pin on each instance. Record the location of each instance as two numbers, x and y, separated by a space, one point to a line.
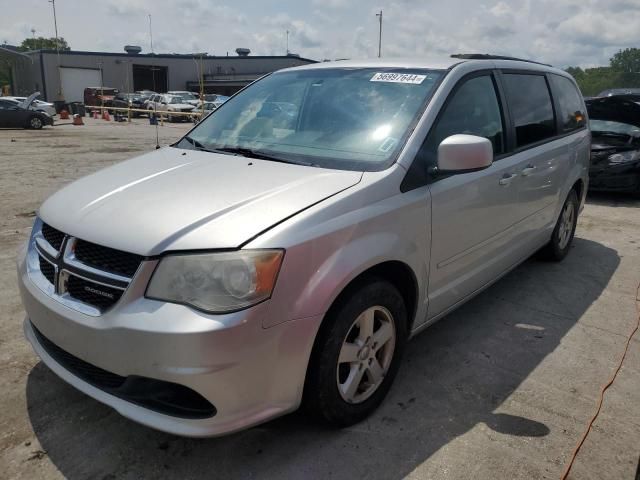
464 153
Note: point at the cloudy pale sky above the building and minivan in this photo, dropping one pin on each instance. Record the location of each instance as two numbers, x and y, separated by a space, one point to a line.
561 32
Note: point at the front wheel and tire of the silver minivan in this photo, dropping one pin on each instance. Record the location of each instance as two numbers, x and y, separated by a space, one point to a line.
344 392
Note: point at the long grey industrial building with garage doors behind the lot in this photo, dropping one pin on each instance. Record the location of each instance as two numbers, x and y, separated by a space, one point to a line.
67 74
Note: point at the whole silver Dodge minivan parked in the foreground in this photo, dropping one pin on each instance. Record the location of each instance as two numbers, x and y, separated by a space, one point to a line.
284 250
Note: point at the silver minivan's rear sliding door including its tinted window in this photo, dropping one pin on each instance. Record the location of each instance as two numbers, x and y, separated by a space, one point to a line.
541 155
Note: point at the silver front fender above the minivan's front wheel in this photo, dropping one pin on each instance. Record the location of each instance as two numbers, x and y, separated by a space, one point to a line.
317 270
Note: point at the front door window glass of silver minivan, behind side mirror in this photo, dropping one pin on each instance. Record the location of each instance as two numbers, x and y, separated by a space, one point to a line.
473 109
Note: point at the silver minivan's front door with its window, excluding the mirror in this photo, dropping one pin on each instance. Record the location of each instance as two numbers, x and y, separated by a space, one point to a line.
472 213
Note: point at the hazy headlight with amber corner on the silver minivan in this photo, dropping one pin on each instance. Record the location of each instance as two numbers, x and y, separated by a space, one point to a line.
216 282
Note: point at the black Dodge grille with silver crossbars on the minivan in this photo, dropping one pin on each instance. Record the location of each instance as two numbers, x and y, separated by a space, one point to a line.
82 275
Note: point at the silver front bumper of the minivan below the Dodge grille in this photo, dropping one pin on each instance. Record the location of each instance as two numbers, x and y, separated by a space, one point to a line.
248 373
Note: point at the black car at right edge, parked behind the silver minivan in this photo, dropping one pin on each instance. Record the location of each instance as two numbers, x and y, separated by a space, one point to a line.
615 147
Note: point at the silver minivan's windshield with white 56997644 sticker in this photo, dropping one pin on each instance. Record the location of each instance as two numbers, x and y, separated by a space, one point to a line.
344 118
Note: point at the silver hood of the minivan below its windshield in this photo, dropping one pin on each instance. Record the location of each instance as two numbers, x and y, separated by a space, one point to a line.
174 199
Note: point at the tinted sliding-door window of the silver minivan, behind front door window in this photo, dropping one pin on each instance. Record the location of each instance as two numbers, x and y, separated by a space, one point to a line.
530 106
